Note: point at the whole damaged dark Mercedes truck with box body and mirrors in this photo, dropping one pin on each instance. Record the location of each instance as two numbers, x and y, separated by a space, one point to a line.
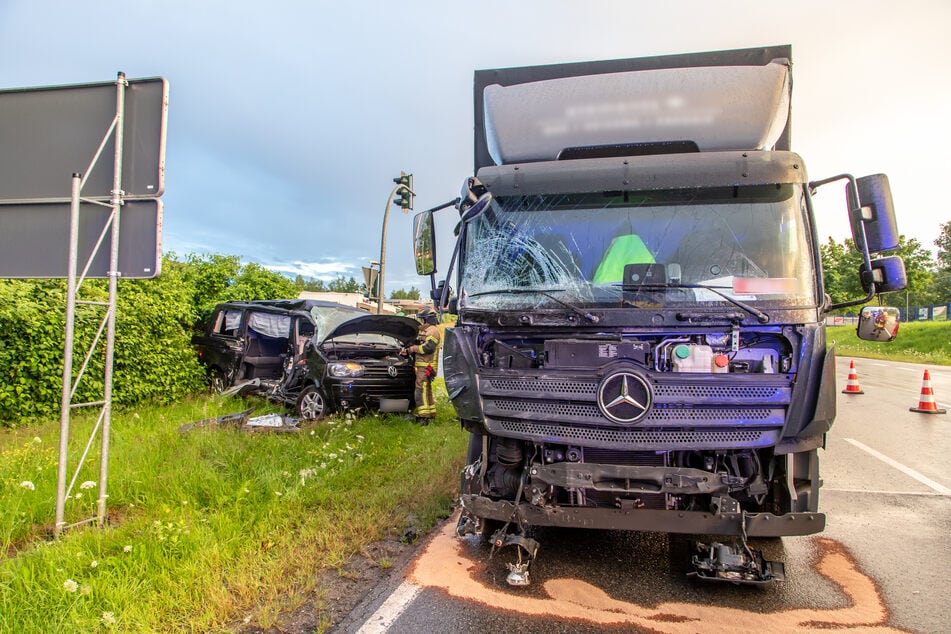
640 340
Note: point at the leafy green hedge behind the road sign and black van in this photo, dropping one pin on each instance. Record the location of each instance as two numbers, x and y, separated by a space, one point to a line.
154 360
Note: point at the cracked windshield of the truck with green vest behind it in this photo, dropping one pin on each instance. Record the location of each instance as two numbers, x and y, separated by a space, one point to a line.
656 249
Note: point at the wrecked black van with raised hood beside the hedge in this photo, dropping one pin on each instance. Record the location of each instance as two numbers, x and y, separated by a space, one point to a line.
314 355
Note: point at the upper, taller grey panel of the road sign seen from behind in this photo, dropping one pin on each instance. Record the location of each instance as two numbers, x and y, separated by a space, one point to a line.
48 134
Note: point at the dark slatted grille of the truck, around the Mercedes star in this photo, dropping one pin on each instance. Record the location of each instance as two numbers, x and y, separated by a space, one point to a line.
687 411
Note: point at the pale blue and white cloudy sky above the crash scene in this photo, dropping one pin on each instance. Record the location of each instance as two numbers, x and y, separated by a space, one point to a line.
288 120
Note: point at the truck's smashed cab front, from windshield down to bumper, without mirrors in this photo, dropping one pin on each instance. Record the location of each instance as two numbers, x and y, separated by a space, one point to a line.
646 360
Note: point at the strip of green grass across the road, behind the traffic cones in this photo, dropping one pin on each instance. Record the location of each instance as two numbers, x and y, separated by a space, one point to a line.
917 342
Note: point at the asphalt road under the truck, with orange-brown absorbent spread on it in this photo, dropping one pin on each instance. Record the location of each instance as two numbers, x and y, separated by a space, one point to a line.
881 565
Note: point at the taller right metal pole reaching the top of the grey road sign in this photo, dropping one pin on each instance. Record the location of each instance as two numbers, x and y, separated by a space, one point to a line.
113 296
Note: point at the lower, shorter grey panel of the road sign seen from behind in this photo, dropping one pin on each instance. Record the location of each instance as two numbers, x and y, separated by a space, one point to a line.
34 239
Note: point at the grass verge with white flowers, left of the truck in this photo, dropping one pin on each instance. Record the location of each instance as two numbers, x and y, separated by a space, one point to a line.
203 522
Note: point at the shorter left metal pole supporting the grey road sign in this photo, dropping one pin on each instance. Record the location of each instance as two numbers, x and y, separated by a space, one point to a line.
68 354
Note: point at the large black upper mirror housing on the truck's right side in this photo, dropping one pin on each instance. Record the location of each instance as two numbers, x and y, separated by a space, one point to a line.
875 211
